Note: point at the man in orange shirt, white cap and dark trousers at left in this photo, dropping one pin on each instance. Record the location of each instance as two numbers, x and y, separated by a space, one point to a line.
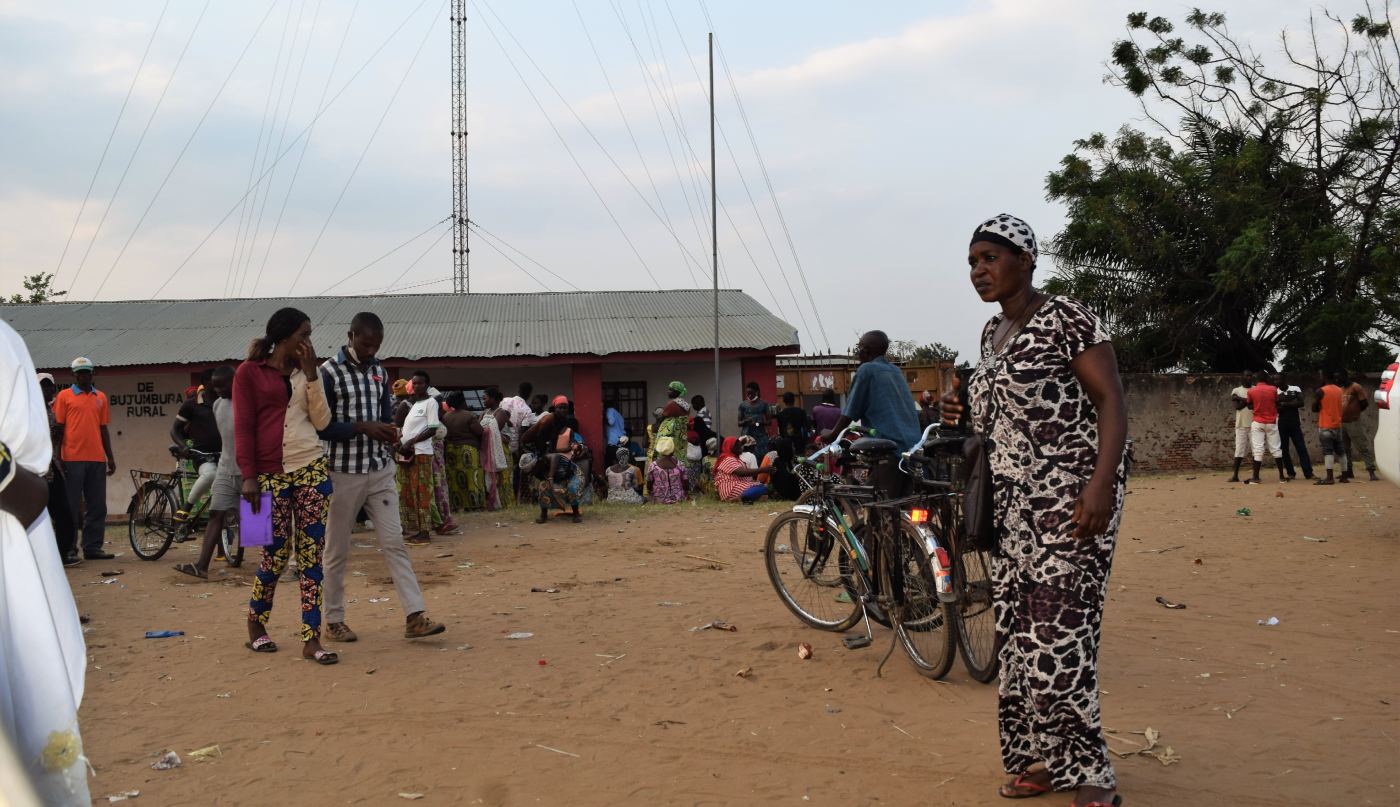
82 414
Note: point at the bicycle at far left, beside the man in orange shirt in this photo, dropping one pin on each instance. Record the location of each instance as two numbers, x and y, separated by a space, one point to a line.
152 526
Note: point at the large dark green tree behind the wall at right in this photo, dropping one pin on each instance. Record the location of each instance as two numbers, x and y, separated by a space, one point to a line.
1265 222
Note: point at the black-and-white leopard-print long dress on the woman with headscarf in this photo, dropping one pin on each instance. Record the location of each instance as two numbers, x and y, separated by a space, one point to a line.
1048 586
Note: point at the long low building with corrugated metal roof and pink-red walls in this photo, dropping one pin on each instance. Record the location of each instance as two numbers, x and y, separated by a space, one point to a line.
622 347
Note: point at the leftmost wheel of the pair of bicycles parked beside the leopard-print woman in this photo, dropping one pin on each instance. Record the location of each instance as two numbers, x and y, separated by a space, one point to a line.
804 564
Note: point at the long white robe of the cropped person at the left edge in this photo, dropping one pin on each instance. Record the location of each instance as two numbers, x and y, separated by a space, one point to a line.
43 655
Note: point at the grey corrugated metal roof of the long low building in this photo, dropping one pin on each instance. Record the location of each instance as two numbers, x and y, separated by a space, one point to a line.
418 326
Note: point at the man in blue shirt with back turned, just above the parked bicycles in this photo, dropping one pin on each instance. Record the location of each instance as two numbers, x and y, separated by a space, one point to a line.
880 397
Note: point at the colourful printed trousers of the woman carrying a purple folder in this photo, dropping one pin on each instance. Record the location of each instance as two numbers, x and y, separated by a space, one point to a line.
300 505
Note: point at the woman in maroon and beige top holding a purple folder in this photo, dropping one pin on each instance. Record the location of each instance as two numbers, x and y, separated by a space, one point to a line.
279 404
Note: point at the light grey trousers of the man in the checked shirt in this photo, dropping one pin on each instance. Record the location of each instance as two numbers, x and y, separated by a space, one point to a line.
380 498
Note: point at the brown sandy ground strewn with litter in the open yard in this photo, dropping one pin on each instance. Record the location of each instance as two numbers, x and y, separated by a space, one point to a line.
615 701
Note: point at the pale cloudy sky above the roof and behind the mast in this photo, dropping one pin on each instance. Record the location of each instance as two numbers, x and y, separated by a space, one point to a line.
887 131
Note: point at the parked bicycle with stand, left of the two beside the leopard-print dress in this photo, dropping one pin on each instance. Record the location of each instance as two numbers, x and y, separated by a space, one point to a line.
883 565
